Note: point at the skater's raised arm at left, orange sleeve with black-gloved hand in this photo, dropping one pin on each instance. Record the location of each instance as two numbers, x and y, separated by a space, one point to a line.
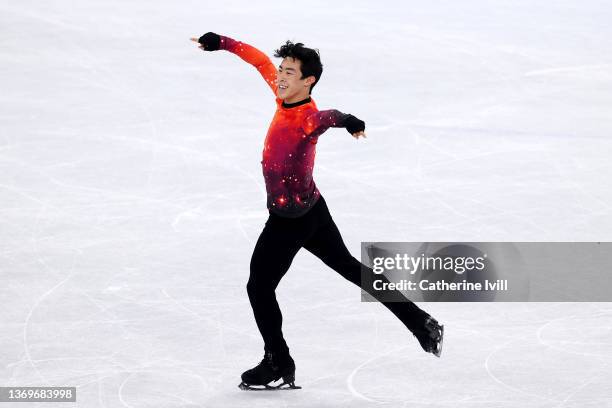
213 42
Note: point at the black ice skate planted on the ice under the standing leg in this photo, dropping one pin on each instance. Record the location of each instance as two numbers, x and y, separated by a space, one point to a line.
272 368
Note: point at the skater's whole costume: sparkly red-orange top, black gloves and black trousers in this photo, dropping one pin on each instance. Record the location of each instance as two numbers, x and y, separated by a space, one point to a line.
299 216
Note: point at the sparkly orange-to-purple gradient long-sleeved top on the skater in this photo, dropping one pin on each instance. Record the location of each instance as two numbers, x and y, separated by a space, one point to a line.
289 148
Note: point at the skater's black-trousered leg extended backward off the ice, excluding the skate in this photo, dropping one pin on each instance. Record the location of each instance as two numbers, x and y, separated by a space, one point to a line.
327 245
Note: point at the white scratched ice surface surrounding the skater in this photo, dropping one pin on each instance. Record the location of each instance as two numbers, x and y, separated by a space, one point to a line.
131 197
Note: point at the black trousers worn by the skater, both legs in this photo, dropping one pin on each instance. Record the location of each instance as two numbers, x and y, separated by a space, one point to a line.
276 247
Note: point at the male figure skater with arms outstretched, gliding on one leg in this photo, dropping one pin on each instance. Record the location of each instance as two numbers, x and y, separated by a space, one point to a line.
298 214
